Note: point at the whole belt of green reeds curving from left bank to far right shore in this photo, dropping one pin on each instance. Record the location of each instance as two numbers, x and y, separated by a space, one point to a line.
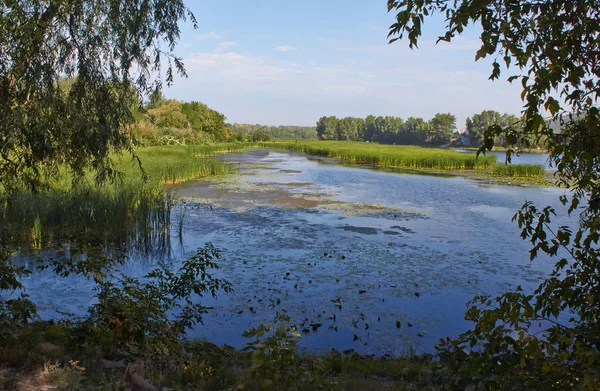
136 204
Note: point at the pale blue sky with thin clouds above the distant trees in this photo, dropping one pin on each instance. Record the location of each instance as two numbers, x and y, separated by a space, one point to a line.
284 62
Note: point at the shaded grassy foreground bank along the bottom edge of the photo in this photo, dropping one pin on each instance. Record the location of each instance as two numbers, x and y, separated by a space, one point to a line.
48 356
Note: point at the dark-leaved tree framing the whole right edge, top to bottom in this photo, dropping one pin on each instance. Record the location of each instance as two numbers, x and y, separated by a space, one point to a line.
552 47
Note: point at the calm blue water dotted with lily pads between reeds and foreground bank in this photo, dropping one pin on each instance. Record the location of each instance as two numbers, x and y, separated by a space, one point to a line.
345 251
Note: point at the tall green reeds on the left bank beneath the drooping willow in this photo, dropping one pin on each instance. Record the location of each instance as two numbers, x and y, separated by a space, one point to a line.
132 212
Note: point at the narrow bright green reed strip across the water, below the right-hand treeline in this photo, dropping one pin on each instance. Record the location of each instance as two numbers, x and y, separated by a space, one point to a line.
401 156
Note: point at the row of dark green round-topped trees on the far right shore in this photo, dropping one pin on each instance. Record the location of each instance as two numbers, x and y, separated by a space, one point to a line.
439 130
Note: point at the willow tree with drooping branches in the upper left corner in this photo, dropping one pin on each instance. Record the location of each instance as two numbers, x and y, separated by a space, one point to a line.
107 48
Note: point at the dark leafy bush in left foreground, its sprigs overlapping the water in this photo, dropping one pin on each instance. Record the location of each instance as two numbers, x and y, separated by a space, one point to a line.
159 306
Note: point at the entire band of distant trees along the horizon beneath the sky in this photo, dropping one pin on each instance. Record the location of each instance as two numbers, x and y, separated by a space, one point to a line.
163 121
